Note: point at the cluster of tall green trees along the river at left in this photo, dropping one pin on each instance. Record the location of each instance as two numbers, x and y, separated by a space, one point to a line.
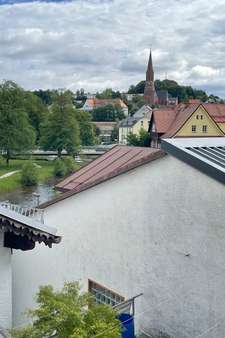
27 121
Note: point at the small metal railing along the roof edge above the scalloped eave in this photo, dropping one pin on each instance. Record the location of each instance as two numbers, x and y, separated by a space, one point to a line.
34 213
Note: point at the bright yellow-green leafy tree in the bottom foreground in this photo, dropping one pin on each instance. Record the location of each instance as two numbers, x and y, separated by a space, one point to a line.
69 314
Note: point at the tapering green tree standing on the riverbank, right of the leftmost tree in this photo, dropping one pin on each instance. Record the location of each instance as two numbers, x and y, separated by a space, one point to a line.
61 131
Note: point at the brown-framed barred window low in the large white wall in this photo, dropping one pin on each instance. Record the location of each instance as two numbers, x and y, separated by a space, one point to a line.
102 295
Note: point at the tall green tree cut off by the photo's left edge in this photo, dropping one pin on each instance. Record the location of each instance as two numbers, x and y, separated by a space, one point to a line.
16 132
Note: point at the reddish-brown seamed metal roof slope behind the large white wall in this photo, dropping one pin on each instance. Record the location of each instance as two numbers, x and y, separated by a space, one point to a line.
114 162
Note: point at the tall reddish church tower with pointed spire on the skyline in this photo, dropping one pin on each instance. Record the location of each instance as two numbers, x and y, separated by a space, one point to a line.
150 95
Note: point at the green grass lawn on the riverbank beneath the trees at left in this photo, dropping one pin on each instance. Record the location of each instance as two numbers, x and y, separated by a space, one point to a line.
12 183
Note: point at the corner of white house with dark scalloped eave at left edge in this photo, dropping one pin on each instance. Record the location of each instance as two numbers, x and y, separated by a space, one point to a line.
18 232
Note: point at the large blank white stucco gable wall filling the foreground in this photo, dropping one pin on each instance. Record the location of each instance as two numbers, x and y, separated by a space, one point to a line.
158 229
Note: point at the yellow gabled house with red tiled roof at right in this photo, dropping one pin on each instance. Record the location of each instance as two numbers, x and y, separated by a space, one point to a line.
192 119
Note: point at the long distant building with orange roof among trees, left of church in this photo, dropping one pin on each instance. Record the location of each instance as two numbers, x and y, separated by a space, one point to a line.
92 103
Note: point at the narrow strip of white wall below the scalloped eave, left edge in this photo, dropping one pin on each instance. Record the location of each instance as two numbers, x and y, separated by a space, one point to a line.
5 285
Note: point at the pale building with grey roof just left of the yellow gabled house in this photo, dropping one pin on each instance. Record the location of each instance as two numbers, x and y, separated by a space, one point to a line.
133 124
